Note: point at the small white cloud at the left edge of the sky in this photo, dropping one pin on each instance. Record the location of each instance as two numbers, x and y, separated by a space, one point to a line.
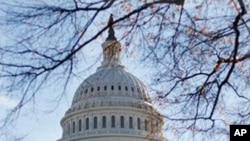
7 102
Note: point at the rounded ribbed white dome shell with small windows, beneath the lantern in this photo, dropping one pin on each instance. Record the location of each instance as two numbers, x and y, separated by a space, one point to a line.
111 82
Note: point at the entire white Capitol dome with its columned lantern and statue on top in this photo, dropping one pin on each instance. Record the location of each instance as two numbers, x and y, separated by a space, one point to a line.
112 104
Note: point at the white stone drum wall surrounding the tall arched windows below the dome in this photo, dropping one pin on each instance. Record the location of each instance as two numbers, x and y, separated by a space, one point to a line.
109 131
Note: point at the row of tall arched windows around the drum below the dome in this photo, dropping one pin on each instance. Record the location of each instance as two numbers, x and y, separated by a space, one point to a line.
125 122
